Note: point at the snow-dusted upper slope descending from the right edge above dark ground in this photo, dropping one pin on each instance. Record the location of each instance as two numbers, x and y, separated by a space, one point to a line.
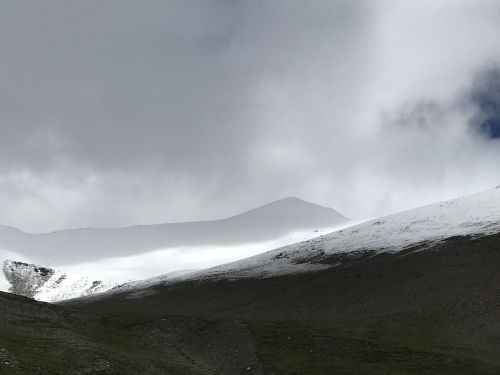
477 215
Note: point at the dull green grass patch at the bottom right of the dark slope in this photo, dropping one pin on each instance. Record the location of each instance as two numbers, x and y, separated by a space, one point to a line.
394 345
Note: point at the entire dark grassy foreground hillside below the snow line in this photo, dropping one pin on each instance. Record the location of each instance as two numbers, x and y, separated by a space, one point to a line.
422 312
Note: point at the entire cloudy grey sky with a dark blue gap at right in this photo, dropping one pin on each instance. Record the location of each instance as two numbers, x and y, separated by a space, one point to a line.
136 112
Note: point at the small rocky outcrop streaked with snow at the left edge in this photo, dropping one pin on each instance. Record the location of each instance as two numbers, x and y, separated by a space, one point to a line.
46 284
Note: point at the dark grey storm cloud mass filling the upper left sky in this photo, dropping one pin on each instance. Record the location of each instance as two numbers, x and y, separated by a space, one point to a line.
115 85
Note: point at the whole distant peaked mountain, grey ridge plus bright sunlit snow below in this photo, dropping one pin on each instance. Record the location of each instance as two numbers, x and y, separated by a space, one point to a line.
138 252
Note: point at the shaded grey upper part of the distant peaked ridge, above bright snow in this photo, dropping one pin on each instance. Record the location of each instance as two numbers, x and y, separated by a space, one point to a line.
69 246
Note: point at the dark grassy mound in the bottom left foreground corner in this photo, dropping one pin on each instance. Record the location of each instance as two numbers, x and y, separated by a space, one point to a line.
37 338
